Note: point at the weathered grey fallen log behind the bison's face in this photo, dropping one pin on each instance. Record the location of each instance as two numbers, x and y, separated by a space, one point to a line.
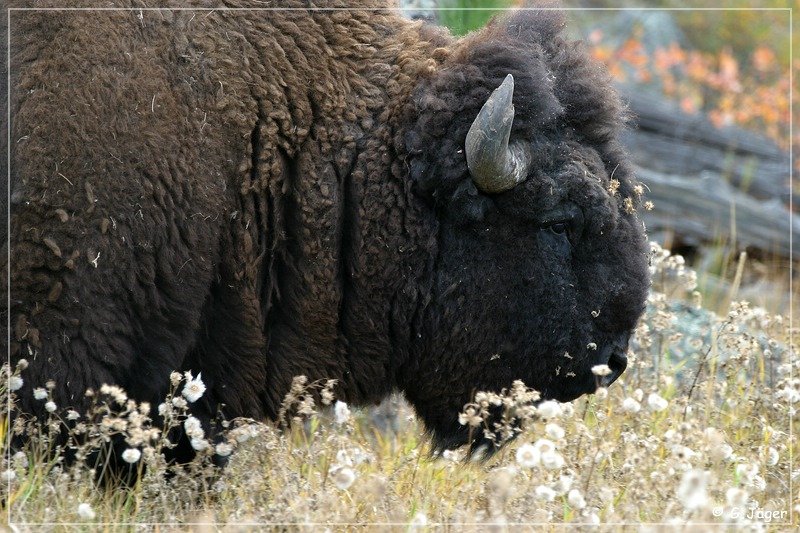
709 184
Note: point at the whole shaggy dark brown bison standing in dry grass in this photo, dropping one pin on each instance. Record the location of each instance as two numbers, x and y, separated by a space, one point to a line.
257 195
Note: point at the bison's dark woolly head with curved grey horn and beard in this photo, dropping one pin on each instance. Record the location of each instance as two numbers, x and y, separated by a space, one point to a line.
540 270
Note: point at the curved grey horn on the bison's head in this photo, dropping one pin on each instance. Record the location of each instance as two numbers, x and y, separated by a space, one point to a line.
495 165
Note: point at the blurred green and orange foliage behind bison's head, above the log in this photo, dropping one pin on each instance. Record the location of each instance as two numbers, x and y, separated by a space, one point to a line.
732 63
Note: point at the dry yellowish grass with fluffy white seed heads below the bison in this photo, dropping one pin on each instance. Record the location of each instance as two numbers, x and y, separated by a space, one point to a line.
696 432
